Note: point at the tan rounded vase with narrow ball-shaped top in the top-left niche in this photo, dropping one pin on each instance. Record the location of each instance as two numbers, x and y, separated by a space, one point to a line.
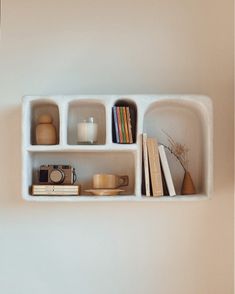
45 131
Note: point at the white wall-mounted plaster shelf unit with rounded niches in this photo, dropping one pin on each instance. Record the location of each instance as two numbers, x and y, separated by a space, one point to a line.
187 118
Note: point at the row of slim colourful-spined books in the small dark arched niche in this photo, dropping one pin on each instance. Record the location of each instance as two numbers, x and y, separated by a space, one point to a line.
123 125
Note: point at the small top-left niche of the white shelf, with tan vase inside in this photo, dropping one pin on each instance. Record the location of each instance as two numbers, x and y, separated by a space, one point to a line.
42 121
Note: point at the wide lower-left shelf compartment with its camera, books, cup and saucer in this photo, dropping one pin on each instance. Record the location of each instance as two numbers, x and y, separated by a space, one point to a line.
99 173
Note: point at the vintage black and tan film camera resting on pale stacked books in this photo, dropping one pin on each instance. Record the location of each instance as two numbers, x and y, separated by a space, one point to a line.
57 175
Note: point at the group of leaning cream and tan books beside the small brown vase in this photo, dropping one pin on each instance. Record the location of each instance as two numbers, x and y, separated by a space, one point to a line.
157 179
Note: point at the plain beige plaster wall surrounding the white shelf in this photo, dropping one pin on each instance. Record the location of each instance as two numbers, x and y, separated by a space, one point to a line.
124 46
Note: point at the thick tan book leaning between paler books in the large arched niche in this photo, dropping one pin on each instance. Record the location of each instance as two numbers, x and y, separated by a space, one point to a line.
154 167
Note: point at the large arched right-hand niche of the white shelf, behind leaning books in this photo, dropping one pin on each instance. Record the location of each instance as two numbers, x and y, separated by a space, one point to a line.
184 122
